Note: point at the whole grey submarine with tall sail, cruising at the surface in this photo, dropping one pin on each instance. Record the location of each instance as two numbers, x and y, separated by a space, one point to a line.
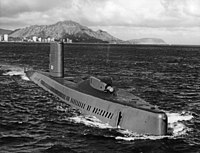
96 96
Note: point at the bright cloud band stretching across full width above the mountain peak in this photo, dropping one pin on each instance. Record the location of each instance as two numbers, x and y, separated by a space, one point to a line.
142 13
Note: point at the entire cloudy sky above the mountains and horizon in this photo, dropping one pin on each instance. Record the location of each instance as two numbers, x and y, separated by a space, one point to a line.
174 21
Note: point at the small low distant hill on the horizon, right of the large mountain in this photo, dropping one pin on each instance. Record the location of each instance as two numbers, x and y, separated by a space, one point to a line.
146 41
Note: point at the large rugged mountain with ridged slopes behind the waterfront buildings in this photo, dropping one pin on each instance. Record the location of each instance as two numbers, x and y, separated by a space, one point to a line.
66 29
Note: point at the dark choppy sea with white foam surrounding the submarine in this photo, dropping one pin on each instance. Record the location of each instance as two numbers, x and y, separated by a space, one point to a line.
34 121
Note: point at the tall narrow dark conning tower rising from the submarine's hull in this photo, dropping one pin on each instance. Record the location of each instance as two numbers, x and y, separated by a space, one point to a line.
56 57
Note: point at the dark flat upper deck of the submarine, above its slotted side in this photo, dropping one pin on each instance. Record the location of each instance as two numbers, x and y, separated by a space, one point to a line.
119 96
